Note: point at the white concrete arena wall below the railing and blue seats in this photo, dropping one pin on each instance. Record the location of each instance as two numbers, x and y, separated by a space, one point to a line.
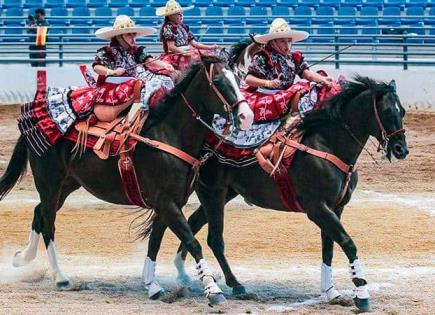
416 87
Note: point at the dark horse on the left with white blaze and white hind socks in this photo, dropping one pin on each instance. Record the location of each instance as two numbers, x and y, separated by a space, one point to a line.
182 121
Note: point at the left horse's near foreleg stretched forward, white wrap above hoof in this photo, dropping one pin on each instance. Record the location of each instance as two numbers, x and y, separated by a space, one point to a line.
173 217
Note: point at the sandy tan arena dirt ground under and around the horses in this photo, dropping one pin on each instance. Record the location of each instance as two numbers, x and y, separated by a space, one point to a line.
276 255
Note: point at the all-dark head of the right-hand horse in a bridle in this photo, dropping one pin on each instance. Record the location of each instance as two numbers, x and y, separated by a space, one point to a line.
389 131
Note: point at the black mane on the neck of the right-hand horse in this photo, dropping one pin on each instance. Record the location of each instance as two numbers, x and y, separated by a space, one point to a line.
335 106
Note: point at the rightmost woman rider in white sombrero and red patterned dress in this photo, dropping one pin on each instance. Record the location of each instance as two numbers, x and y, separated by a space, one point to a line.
272 73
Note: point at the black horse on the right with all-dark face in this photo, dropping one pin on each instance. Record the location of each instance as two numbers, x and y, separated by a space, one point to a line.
364 108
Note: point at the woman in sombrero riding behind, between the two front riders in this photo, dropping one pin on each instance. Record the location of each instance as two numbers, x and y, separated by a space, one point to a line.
179 44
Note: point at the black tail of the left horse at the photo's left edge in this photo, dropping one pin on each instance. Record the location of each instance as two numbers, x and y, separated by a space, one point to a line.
16 168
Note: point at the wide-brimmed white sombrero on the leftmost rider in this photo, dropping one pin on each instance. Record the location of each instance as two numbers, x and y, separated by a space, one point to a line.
123 25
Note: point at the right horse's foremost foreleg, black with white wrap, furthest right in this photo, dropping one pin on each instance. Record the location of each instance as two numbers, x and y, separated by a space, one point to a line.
330 224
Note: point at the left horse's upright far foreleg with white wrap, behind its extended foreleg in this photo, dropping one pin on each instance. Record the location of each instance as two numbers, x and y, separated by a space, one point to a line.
149 268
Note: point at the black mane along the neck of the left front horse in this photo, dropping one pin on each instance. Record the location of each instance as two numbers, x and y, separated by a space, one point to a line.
158 113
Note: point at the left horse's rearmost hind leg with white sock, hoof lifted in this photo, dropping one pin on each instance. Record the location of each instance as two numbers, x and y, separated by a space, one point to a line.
26 256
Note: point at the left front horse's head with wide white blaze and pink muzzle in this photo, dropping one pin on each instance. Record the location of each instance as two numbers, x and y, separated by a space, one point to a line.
220 93
